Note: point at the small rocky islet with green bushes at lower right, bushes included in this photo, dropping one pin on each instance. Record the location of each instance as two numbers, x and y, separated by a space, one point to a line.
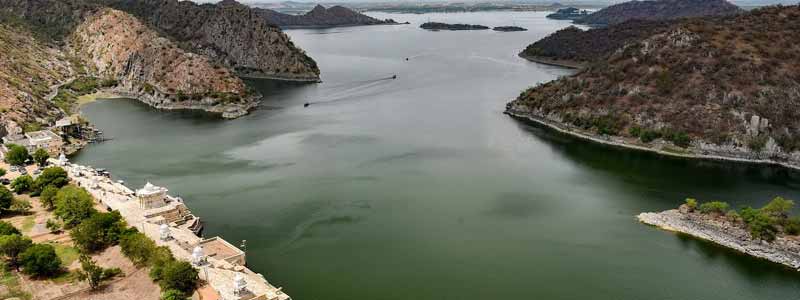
769 232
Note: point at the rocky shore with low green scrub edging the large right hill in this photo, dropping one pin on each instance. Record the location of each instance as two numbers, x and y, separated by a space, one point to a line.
656 148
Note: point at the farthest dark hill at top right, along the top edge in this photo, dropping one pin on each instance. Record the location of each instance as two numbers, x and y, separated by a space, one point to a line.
659 10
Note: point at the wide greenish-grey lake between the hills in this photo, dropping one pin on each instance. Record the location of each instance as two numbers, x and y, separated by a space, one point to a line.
420 188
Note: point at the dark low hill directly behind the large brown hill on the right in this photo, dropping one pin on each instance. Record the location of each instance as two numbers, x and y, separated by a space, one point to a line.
574 47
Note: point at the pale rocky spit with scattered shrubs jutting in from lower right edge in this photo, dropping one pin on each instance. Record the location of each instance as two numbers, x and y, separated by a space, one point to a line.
730 230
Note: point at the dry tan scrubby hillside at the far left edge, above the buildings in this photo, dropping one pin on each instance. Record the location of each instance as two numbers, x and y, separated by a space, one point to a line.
28 69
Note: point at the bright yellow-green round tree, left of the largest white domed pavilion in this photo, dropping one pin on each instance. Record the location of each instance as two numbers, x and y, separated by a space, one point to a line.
73 205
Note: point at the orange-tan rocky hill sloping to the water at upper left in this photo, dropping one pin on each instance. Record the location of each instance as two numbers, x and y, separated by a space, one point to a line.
116 45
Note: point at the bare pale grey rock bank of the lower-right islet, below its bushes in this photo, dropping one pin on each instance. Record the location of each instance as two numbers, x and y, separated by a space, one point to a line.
782 250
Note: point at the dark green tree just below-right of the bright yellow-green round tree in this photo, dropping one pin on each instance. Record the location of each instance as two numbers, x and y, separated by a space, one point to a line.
98 231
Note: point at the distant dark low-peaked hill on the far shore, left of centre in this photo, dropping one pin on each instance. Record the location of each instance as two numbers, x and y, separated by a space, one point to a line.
320 16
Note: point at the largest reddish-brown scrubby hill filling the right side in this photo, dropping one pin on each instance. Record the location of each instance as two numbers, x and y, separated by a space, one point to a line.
722 87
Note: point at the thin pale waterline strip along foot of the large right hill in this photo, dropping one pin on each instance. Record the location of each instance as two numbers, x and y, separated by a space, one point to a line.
558 127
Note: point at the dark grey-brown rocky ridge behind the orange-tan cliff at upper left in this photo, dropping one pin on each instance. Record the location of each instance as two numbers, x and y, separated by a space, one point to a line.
229 33
